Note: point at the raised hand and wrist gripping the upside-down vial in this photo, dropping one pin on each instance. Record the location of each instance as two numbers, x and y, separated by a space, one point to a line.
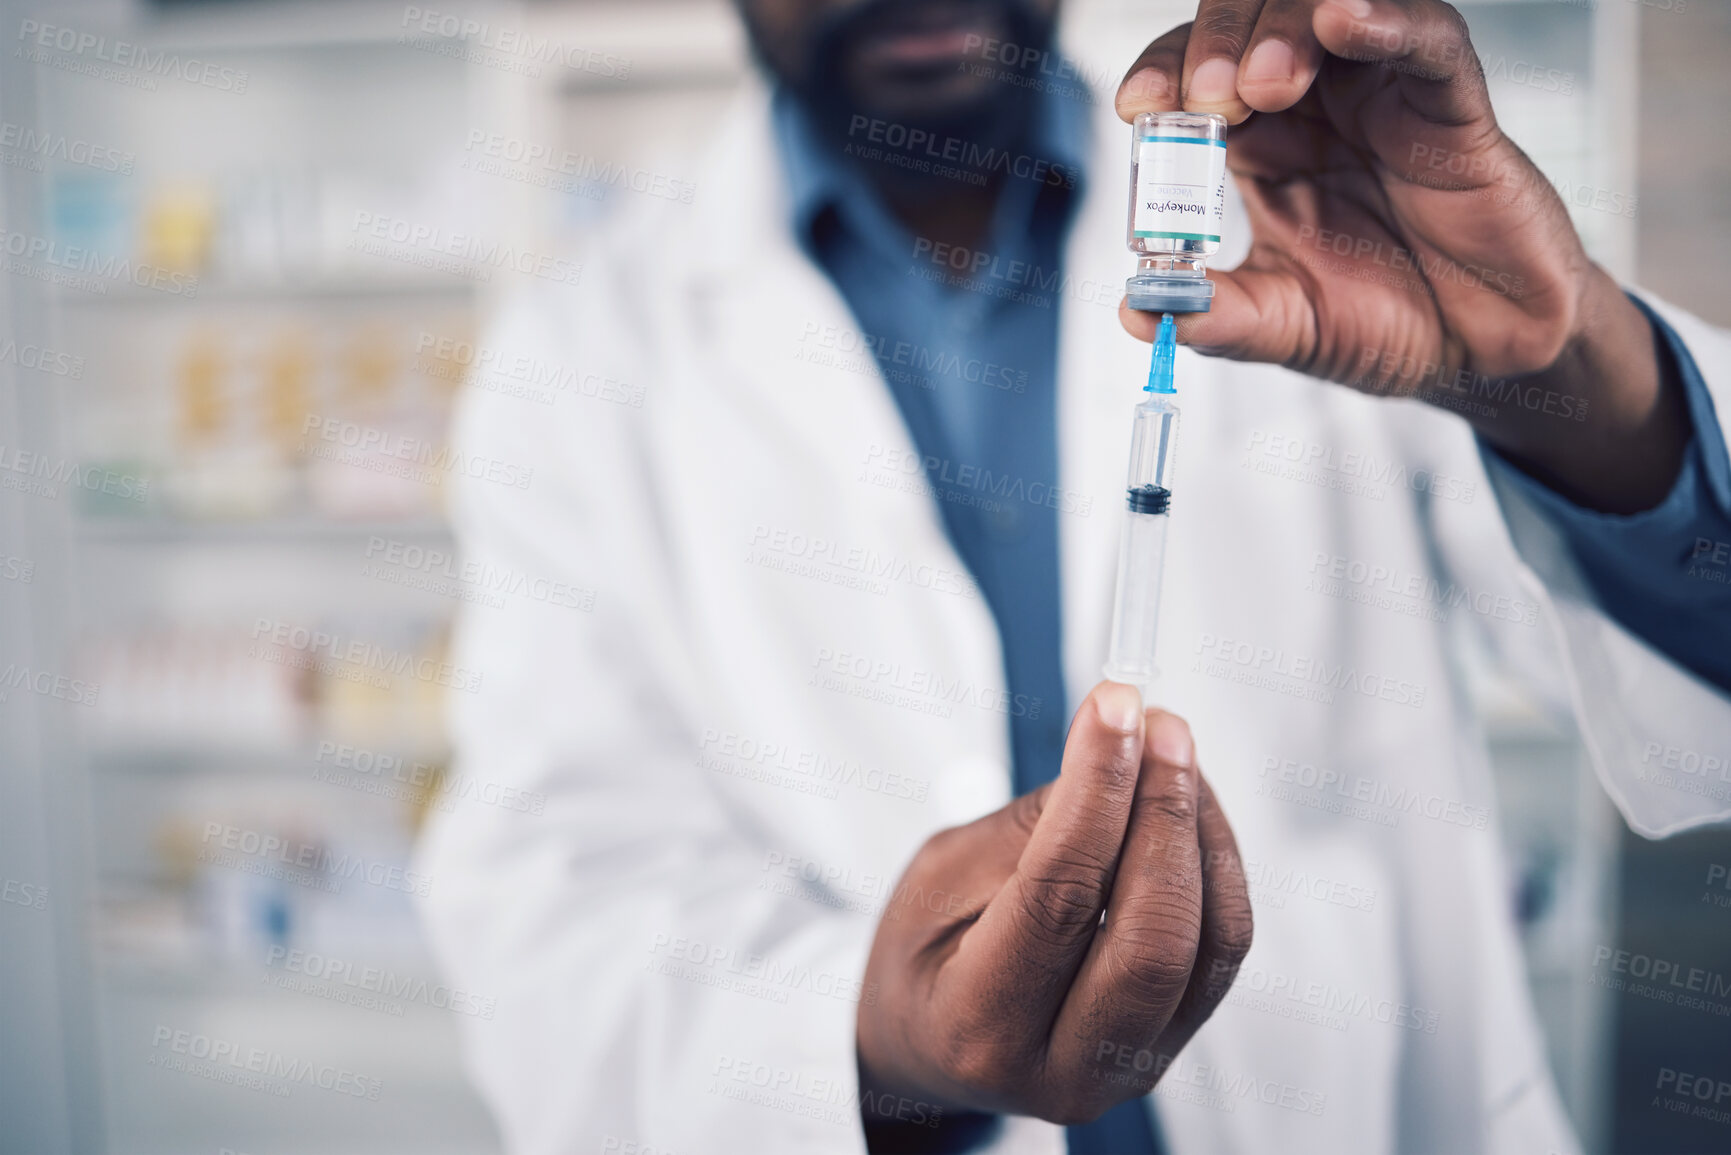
1401 242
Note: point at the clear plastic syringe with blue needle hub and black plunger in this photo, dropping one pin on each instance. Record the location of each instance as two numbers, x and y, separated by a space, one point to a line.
1143 548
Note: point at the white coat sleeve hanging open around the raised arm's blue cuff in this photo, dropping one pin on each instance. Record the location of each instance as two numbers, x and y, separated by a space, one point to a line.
1657 735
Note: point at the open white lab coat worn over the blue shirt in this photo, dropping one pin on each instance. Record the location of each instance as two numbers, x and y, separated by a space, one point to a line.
735 709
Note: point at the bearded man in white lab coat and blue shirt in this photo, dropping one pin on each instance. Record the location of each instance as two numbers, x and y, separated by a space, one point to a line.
844 574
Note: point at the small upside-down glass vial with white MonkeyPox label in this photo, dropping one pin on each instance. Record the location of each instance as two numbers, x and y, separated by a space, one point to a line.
1178 205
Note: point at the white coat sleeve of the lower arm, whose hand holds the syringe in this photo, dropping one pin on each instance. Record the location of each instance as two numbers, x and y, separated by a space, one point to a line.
655 981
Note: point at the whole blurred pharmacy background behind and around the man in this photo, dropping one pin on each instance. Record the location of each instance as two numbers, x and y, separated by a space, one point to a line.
247 254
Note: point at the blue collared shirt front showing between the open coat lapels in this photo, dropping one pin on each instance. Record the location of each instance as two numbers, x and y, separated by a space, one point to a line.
968 342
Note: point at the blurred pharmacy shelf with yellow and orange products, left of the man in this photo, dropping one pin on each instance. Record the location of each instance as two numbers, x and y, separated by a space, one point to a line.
207 479
